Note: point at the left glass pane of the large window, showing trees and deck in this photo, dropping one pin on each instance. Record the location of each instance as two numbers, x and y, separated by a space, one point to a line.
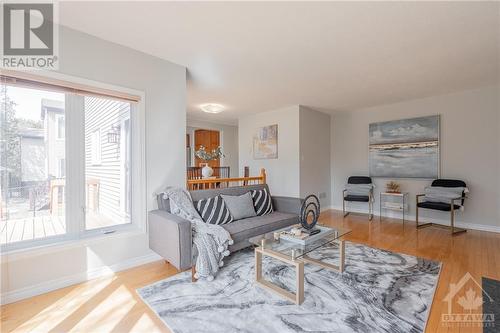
32 156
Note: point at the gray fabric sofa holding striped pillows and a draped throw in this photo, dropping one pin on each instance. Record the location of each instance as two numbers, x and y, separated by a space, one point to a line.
170 235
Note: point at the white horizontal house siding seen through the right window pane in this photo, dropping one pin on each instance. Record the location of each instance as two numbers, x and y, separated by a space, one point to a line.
106 116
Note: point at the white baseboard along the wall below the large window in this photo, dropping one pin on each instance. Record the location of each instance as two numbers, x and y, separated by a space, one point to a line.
45 287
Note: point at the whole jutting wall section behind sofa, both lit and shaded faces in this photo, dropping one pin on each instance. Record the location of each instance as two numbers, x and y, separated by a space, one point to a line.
303 163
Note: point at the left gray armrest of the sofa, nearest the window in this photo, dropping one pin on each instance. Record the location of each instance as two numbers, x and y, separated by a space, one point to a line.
170 237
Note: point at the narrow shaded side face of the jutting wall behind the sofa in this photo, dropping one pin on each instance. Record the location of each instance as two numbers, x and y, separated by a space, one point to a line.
315 155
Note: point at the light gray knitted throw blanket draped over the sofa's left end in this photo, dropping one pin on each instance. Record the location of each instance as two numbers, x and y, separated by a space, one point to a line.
211 240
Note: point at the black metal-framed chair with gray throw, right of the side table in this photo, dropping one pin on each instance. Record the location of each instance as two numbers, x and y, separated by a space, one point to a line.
441 206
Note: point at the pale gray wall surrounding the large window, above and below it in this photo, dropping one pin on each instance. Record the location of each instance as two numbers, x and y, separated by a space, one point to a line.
164 85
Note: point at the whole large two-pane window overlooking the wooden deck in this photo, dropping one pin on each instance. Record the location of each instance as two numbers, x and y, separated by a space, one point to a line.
62 151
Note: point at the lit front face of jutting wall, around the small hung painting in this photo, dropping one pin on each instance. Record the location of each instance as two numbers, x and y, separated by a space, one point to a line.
283 173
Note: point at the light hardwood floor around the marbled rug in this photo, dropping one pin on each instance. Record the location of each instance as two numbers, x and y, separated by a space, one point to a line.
112 305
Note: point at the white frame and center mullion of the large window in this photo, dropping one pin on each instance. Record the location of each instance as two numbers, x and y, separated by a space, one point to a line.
75 168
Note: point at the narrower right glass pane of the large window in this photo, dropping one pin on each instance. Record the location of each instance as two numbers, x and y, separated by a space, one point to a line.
107 162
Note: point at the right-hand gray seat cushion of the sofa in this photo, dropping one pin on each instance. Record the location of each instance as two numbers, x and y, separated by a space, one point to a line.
242 230
